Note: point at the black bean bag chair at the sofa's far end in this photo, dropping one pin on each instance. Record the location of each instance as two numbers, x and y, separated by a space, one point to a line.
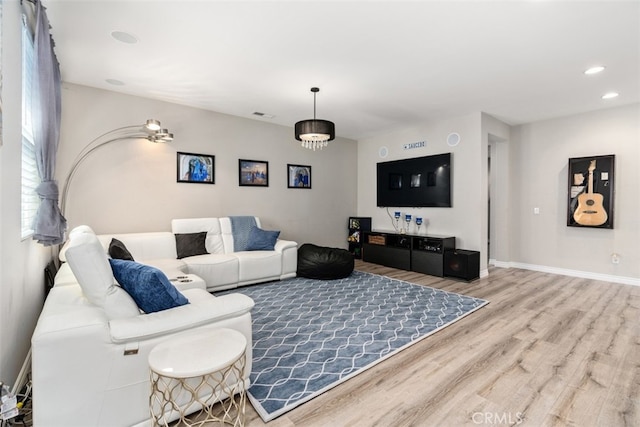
318 262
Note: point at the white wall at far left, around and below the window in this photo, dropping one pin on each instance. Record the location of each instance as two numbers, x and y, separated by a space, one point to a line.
21 262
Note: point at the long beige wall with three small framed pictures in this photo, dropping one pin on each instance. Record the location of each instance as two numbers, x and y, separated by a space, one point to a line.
131 185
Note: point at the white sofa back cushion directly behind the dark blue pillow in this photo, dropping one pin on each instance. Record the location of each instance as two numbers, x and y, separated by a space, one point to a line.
90 265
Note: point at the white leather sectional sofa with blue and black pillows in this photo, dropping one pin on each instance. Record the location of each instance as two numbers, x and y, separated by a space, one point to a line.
91 342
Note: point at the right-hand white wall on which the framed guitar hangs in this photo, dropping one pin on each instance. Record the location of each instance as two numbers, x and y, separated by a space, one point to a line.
539 157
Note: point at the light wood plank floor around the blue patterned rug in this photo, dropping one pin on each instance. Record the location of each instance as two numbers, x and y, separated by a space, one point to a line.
548 350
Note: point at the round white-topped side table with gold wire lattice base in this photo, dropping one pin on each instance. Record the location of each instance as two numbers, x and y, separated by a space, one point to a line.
194 372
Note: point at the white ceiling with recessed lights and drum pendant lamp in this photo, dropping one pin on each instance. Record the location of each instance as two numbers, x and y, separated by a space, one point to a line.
380 65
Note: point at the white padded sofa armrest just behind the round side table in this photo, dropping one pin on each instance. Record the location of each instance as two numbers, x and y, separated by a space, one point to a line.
200 311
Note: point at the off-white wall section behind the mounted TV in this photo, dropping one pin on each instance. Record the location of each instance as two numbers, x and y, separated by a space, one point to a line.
468 213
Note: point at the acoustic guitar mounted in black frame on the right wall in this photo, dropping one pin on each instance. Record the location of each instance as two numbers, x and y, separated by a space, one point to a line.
591 191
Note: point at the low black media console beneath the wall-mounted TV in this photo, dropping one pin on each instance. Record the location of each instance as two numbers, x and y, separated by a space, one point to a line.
423 254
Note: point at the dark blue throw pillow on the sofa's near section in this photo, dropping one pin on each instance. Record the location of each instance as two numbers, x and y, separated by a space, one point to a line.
149 287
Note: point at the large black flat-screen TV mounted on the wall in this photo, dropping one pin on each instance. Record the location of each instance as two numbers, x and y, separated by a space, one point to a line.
417 182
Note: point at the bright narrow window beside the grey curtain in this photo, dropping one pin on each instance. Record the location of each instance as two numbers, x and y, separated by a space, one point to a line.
30 177
